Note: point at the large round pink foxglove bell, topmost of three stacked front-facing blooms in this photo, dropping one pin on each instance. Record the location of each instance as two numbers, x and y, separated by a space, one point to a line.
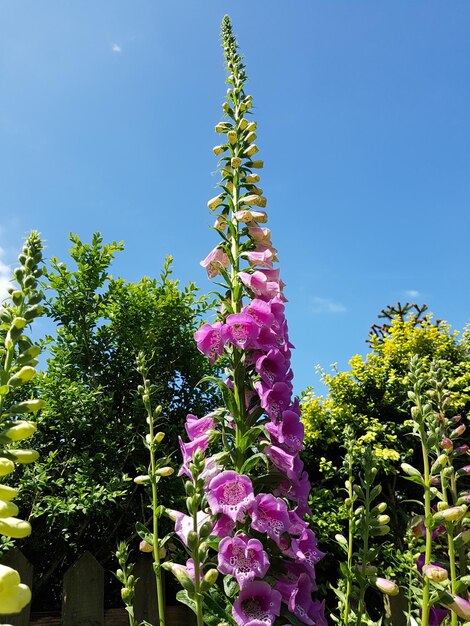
232 494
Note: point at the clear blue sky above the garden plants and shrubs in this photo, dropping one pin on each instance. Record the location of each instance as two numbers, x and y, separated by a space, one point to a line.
107 112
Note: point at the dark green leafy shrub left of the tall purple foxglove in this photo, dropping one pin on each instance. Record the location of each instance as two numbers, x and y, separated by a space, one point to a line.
81 492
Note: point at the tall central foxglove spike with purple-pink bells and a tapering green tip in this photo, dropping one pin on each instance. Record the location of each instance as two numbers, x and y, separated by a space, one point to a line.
260 493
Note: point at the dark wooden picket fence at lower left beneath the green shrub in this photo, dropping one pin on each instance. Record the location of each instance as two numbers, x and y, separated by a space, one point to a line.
83 596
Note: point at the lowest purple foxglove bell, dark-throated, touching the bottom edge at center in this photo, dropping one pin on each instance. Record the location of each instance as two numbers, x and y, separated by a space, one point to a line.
257 603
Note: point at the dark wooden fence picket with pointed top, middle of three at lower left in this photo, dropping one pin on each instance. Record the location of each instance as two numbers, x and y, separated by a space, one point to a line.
83 593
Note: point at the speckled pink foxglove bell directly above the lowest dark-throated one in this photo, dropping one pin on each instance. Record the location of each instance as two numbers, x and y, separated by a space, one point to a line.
242 557
